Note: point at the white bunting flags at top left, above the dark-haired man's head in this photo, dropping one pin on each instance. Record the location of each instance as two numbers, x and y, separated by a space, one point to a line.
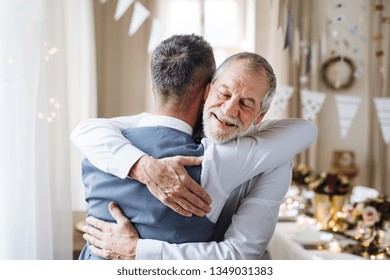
139 16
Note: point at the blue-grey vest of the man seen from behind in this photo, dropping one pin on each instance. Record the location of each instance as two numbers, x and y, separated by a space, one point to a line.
151 218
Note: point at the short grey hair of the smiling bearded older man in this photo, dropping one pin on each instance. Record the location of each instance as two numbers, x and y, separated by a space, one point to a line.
256 65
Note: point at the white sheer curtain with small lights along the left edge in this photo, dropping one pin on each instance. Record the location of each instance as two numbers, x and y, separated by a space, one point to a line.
46 83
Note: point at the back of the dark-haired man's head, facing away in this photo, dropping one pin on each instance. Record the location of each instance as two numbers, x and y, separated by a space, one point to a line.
181 68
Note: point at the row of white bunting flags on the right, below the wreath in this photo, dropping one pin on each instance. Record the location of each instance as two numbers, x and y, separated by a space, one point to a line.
347 107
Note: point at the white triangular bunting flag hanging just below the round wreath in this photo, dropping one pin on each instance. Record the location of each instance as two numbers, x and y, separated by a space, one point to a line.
347 107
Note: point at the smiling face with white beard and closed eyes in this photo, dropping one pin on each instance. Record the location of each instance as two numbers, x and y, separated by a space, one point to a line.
233 103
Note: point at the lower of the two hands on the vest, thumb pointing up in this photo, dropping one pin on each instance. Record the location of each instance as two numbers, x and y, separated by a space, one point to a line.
109 240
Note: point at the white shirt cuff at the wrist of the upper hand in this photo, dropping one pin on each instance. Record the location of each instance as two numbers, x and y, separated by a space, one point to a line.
124 159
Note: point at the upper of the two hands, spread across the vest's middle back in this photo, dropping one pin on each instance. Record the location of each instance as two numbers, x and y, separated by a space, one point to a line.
170 183
